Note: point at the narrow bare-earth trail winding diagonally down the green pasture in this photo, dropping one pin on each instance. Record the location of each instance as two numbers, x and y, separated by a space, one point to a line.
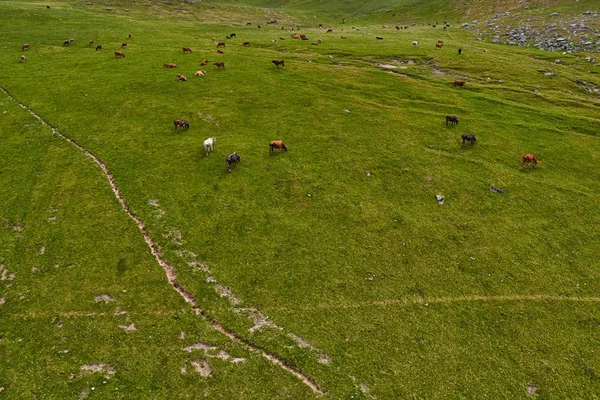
169 269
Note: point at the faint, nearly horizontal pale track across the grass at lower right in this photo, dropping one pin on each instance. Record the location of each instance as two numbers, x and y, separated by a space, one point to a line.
408 301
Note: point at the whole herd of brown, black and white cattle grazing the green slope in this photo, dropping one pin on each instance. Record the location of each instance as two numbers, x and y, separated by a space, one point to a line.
233 159
